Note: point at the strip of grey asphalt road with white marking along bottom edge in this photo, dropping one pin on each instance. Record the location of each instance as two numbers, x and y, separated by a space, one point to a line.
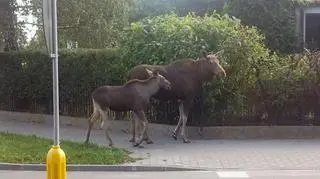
271 174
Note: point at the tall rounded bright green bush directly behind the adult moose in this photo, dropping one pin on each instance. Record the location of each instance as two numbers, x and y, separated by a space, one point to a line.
162 39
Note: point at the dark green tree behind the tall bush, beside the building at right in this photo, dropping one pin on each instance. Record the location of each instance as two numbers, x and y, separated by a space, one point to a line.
275 18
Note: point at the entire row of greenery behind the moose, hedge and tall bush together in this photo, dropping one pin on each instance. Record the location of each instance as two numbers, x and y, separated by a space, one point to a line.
260 86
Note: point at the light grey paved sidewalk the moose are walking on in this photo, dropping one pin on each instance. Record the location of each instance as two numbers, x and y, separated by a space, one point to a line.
210 154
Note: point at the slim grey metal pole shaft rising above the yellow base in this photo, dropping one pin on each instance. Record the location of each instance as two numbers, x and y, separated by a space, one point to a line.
55 74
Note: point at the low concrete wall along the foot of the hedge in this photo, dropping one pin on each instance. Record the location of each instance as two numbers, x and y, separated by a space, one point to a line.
194 133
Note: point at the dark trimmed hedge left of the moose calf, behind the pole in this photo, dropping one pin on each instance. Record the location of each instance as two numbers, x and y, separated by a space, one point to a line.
26 79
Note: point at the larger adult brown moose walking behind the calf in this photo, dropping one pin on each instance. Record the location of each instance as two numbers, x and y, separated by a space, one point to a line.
186 77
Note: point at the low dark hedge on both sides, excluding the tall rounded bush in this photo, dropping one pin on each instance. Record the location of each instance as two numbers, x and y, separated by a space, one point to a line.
287 92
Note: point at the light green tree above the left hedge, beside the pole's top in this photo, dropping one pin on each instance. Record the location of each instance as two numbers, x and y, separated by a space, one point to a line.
91 23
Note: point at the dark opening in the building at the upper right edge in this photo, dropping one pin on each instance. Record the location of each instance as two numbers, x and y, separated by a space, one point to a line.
313 31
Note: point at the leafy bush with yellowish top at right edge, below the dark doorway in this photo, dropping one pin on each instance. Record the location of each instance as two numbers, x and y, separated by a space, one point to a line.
290 94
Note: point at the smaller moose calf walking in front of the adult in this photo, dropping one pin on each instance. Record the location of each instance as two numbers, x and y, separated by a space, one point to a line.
134 96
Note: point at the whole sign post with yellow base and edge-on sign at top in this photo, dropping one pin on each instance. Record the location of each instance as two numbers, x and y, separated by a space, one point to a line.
56 159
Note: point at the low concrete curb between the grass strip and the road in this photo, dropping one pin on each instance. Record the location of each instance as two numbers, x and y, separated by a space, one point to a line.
109 168
